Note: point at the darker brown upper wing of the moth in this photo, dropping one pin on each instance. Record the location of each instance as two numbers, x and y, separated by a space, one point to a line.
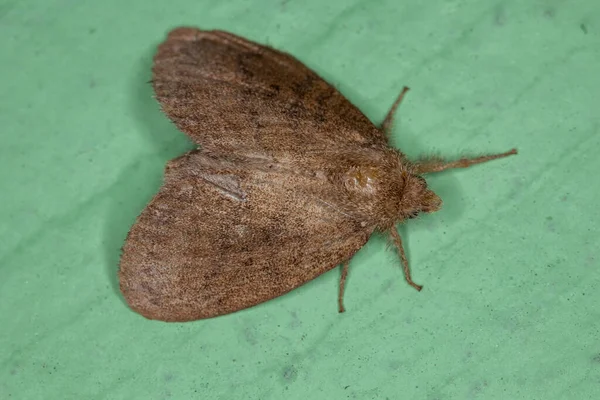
232 95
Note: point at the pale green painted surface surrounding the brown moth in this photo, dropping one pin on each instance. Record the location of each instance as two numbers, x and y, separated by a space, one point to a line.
510 265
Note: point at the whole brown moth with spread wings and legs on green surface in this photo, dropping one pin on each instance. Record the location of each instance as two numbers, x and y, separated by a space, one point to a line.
291 180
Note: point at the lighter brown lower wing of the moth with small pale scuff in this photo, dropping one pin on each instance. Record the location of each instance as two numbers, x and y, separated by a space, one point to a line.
222 236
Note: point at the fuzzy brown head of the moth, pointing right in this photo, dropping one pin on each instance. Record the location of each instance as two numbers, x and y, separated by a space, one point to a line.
417 197
